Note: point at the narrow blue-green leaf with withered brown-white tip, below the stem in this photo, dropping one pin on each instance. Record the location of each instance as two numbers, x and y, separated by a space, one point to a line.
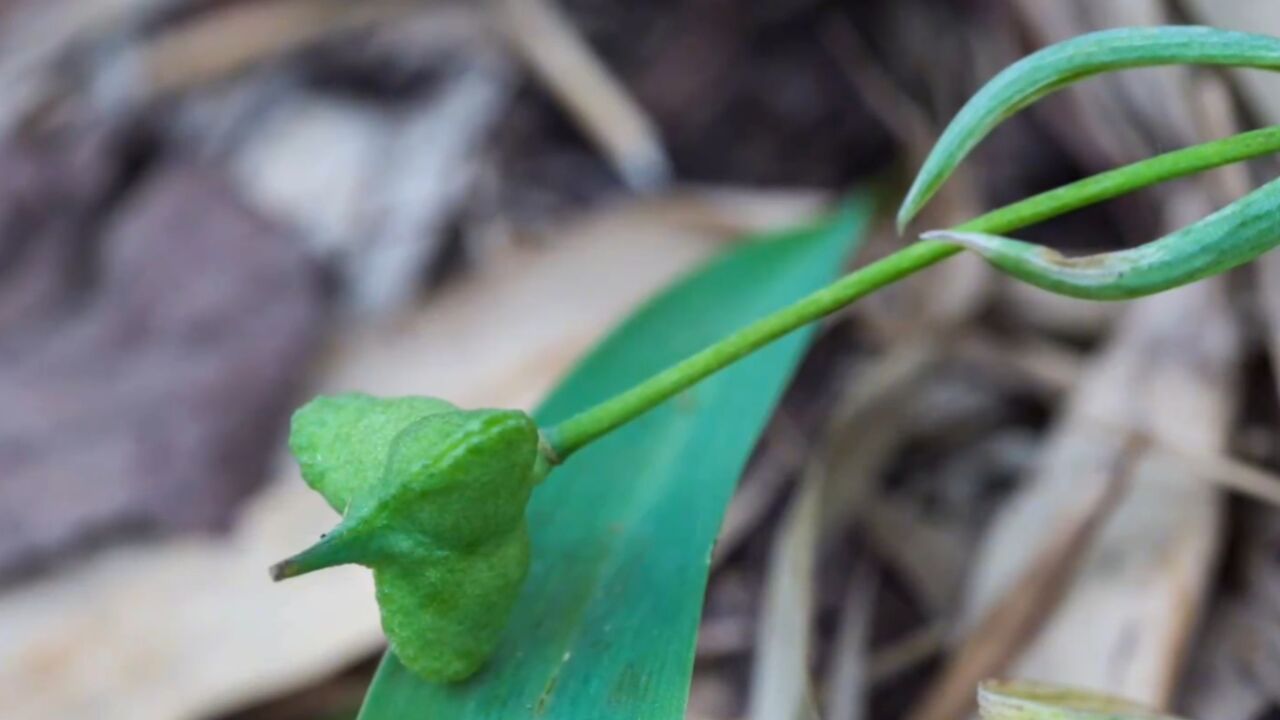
1233 236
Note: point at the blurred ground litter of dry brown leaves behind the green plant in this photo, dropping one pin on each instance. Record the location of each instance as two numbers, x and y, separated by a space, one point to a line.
212 209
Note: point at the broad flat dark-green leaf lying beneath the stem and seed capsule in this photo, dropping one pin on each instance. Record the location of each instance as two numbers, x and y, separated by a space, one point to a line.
623 532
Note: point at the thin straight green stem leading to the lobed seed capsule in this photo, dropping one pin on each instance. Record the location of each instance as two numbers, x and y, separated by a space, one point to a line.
577 432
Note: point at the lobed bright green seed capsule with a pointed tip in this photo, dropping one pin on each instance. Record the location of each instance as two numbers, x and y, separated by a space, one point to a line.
433 500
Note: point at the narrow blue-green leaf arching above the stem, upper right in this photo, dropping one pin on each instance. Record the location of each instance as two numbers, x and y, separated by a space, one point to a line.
1073 61
